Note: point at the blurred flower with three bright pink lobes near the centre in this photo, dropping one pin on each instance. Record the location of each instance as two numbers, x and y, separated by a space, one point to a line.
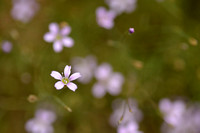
107 81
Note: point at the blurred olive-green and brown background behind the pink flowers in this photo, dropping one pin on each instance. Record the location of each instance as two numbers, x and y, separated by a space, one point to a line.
159 60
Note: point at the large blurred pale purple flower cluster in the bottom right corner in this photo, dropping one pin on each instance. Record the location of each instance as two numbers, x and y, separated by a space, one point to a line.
180 118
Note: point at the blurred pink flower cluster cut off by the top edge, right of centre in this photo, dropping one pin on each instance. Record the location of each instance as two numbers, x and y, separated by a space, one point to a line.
105 18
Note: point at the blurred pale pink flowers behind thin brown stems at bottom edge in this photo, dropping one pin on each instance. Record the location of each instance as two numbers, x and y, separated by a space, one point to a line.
126 116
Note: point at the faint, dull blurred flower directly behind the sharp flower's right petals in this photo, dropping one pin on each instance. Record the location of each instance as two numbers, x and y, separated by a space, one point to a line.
85 66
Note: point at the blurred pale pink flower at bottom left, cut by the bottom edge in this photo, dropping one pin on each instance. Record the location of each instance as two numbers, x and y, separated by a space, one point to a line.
42 123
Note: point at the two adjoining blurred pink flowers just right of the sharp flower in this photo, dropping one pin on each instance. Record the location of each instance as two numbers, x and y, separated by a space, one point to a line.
107 80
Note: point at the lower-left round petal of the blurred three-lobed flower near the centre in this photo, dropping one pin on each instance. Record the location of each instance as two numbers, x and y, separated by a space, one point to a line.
98 90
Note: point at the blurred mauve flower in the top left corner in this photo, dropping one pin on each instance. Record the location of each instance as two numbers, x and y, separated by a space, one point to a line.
24 10
